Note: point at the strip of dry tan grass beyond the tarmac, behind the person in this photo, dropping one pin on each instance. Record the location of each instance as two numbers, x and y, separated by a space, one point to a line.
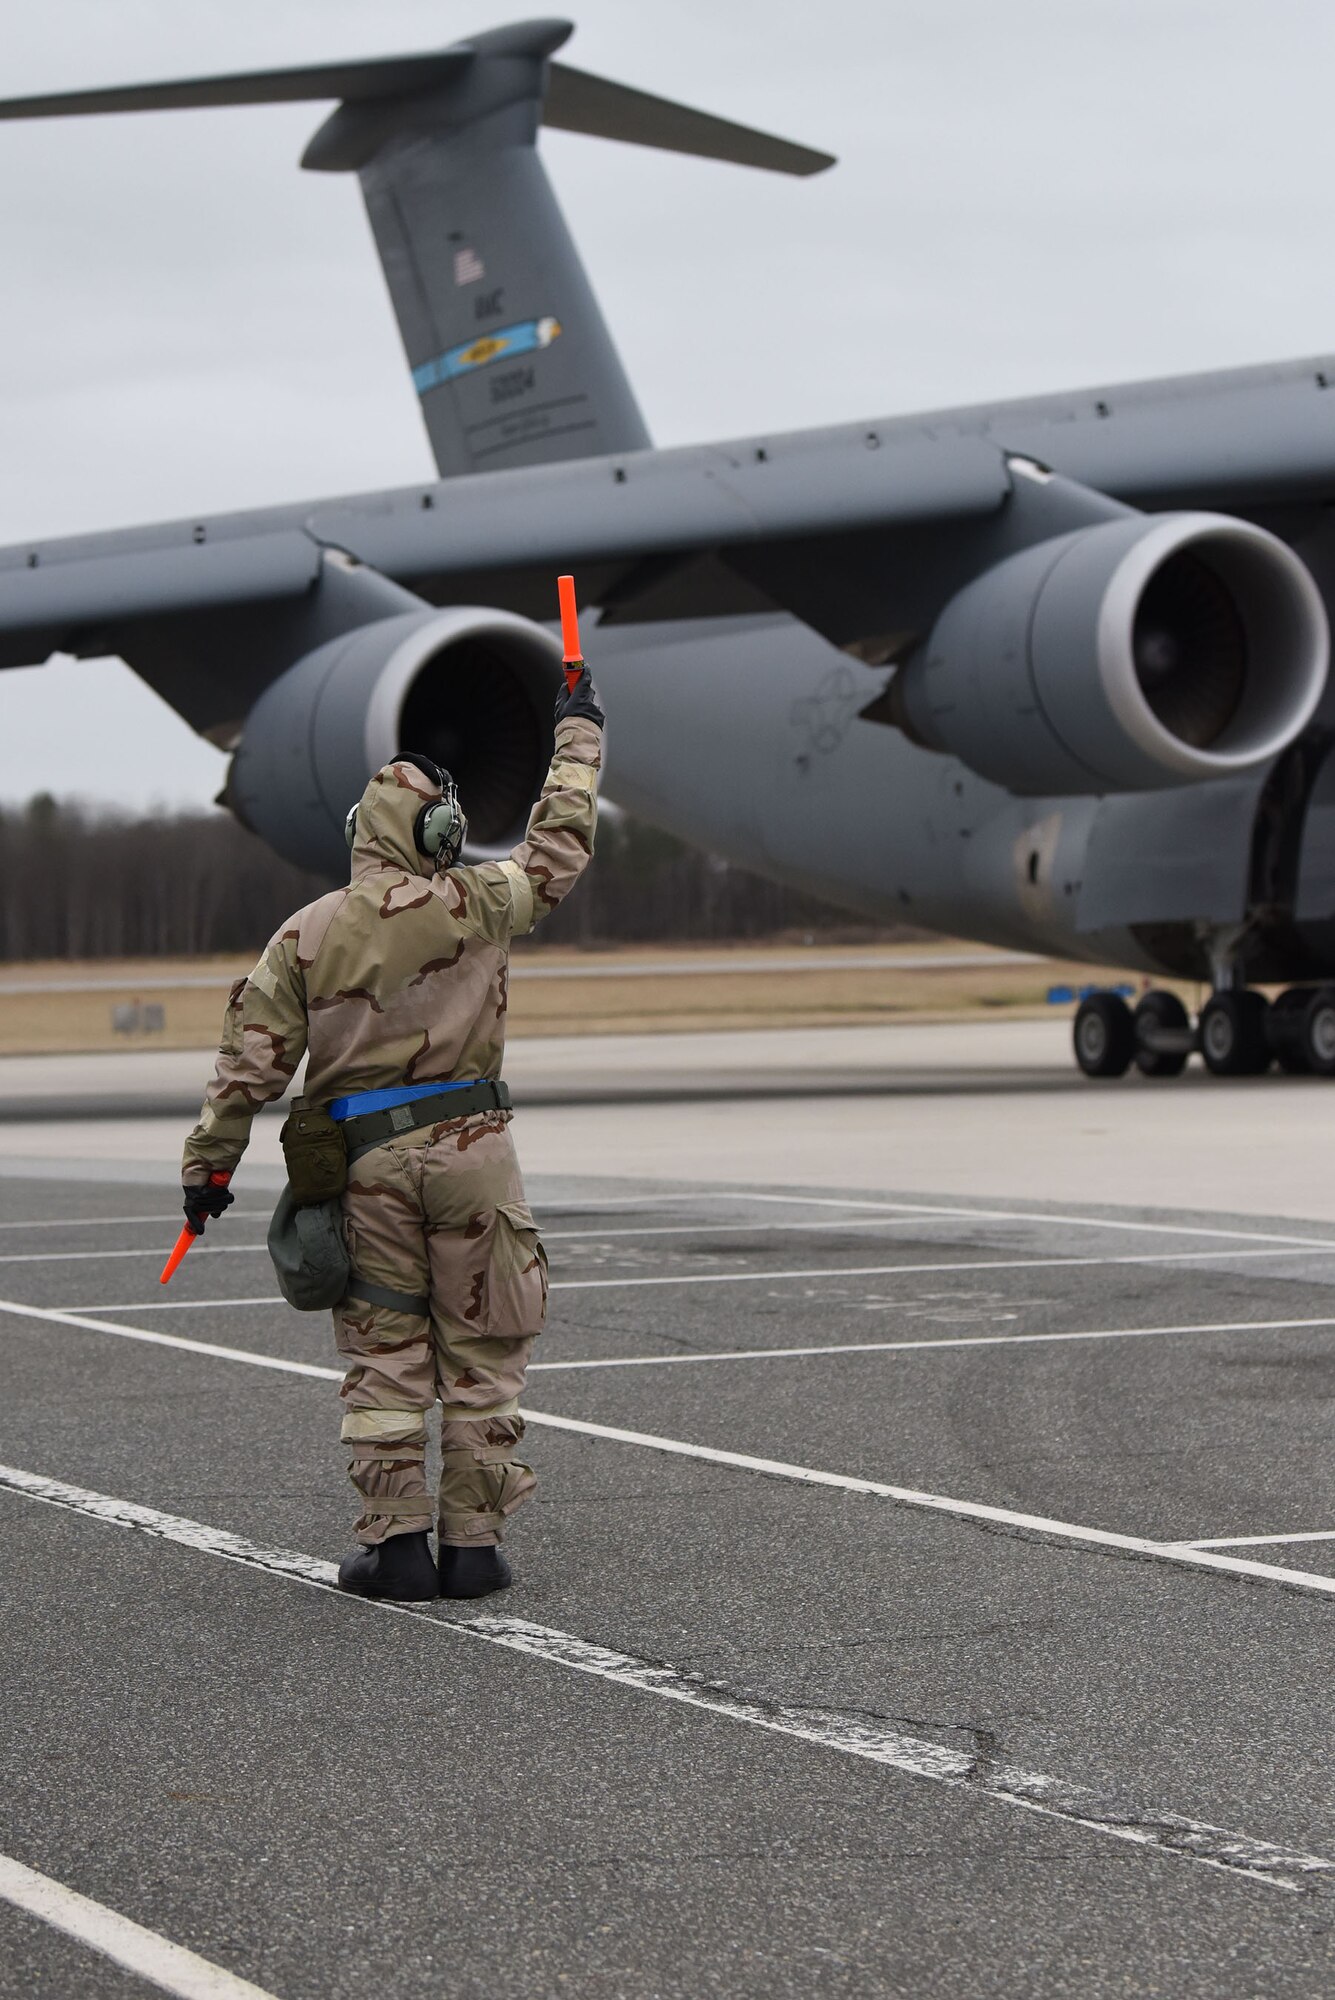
107 1005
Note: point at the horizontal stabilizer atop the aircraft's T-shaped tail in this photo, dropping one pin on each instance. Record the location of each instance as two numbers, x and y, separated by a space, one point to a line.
575 101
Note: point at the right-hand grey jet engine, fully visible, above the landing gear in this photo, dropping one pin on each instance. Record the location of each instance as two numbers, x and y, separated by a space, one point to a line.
1140 653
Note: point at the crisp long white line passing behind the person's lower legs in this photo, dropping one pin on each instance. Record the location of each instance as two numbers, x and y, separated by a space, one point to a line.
1042 1525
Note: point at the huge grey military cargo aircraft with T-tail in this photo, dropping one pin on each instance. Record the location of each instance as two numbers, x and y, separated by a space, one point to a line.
1048 675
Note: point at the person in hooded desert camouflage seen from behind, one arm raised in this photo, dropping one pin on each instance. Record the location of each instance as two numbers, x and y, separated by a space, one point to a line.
401 979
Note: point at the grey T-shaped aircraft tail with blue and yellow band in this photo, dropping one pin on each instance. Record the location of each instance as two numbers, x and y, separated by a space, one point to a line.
509 349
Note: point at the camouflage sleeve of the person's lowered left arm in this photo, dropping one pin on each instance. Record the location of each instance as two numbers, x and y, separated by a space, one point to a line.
263 1043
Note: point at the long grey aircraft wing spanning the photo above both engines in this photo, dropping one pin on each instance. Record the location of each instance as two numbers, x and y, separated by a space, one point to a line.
812 523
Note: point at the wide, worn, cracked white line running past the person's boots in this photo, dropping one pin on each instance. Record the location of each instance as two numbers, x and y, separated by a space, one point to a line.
850 1735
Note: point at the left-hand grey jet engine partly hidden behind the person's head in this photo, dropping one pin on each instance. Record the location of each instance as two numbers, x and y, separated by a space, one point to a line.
469 687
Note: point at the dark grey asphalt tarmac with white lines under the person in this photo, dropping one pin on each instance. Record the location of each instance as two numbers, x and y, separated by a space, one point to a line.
862 1635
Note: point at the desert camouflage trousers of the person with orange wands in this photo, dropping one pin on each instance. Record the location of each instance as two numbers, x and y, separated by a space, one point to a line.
441 1215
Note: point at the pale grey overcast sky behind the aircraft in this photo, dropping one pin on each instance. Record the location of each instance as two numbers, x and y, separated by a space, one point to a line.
1030 195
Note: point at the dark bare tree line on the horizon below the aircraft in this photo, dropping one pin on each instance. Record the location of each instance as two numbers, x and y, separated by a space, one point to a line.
79 883
